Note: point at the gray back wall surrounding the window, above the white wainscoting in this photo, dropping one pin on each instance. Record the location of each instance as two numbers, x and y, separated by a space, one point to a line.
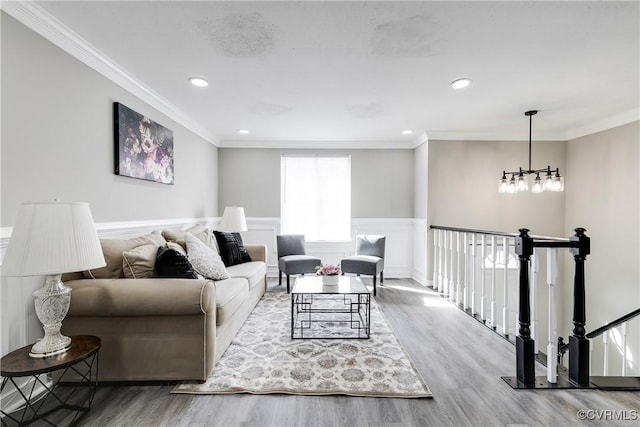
381 181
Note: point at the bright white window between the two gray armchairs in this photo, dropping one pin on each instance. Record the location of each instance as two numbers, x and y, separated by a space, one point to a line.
315 197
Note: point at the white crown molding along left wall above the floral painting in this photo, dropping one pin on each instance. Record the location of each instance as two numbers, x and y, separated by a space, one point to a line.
40 21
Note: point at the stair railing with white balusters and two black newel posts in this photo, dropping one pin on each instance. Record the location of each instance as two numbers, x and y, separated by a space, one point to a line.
455 276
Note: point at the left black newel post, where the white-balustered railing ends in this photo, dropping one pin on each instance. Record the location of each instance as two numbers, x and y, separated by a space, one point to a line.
525 348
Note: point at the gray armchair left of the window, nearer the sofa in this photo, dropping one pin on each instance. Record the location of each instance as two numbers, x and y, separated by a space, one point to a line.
293 258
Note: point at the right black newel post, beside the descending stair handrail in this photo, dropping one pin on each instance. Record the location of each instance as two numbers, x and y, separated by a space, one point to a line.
578 343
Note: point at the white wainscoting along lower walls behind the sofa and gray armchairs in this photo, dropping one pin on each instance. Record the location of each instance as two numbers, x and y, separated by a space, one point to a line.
405 257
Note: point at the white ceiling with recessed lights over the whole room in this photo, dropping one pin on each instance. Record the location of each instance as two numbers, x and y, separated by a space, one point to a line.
329 74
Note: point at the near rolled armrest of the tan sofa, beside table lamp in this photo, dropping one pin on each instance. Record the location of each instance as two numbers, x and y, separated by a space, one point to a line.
141 297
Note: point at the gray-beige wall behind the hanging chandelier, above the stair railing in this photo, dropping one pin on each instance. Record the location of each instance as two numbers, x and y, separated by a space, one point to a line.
463 186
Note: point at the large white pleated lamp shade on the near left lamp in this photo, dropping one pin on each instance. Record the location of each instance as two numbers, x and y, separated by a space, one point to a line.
52 238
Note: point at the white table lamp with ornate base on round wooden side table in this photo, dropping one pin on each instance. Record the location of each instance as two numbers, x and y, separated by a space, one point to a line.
48 239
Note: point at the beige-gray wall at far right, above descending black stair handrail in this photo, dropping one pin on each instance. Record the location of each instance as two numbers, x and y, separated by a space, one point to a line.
603 197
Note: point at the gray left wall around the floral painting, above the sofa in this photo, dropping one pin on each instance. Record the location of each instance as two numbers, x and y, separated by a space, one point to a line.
57 140
